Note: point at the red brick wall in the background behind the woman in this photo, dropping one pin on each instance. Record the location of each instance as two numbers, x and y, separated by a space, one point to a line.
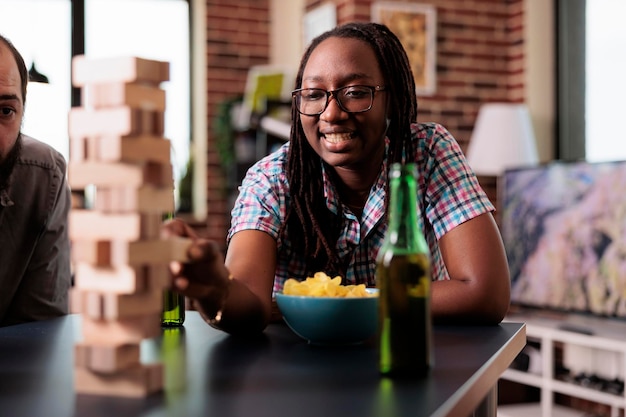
480 58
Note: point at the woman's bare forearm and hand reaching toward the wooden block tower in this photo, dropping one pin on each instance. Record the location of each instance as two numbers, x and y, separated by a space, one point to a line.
235 294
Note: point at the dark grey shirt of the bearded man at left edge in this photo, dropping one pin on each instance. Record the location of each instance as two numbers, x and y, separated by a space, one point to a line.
35 273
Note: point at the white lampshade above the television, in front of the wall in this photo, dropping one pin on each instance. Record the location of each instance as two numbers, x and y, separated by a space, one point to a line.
502 138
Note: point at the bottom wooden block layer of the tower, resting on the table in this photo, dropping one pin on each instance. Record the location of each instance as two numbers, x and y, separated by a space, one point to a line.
135 382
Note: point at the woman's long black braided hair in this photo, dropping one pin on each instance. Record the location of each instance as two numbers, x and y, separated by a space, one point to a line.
313 230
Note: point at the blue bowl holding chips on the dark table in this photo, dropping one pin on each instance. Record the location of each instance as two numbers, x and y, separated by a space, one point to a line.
331 320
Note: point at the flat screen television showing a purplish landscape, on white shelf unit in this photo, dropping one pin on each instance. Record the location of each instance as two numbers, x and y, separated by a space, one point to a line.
564 230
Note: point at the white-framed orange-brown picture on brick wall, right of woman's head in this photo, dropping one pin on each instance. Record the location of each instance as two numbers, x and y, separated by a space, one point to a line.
415 25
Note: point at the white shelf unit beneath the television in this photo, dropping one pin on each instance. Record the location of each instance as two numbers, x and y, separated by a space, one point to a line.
548 329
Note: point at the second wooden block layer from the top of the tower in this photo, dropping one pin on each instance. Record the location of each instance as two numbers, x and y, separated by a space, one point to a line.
137 96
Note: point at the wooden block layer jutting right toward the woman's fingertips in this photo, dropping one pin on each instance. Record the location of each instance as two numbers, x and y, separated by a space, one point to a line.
120 252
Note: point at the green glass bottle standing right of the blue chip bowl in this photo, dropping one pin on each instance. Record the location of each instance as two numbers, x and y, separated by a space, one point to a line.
403 277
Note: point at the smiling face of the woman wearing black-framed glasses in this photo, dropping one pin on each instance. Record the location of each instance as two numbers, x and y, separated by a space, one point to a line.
339 137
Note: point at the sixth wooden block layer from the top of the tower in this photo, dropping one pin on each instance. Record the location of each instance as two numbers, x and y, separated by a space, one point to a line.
145 199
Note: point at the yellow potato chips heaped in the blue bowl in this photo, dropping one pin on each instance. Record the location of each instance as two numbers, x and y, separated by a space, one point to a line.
321 285
